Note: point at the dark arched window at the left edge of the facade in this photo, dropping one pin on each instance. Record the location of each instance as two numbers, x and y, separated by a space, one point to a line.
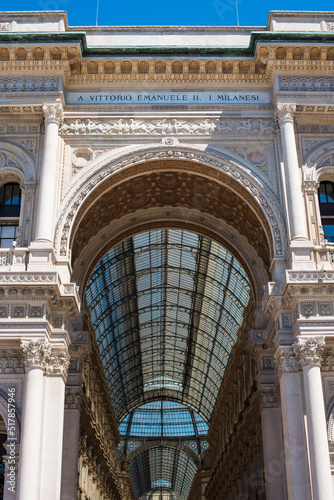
10 205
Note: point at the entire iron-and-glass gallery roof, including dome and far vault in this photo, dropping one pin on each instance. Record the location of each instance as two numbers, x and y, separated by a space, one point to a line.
166 306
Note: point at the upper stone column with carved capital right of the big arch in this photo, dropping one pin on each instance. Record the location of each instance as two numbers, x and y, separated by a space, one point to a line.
296 206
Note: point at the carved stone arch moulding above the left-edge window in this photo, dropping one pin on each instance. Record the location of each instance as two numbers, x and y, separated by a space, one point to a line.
15 161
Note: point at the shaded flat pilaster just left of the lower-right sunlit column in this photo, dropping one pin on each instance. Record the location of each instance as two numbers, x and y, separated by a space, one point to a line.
295 449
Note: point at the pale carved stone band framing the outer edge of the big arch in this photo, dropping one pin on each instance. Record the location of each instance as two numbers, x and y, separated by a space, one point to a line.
84 189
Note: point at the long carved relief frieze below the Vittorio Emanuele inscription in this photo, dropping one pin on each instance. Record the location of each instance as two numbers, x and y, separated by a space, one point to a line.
250 126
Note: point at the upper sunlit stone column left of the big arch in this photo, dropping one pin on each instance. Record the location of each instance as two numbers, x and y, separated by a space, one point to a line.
48 182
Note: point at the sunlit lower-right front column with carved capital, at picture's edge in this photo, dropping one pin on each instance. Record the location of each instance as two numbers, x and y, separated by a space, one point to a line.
309 351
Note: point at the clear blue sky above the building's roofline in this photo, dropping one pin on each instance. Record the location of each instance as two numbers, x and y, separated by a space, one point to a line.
170 12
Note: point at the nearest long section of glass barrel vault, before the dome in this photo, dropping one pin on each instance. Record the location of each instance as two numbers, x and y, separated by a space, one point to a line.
166 306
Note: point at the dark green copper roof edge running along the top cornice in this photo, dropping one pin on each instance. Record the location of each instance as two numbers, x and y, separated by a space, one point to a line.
255 38
